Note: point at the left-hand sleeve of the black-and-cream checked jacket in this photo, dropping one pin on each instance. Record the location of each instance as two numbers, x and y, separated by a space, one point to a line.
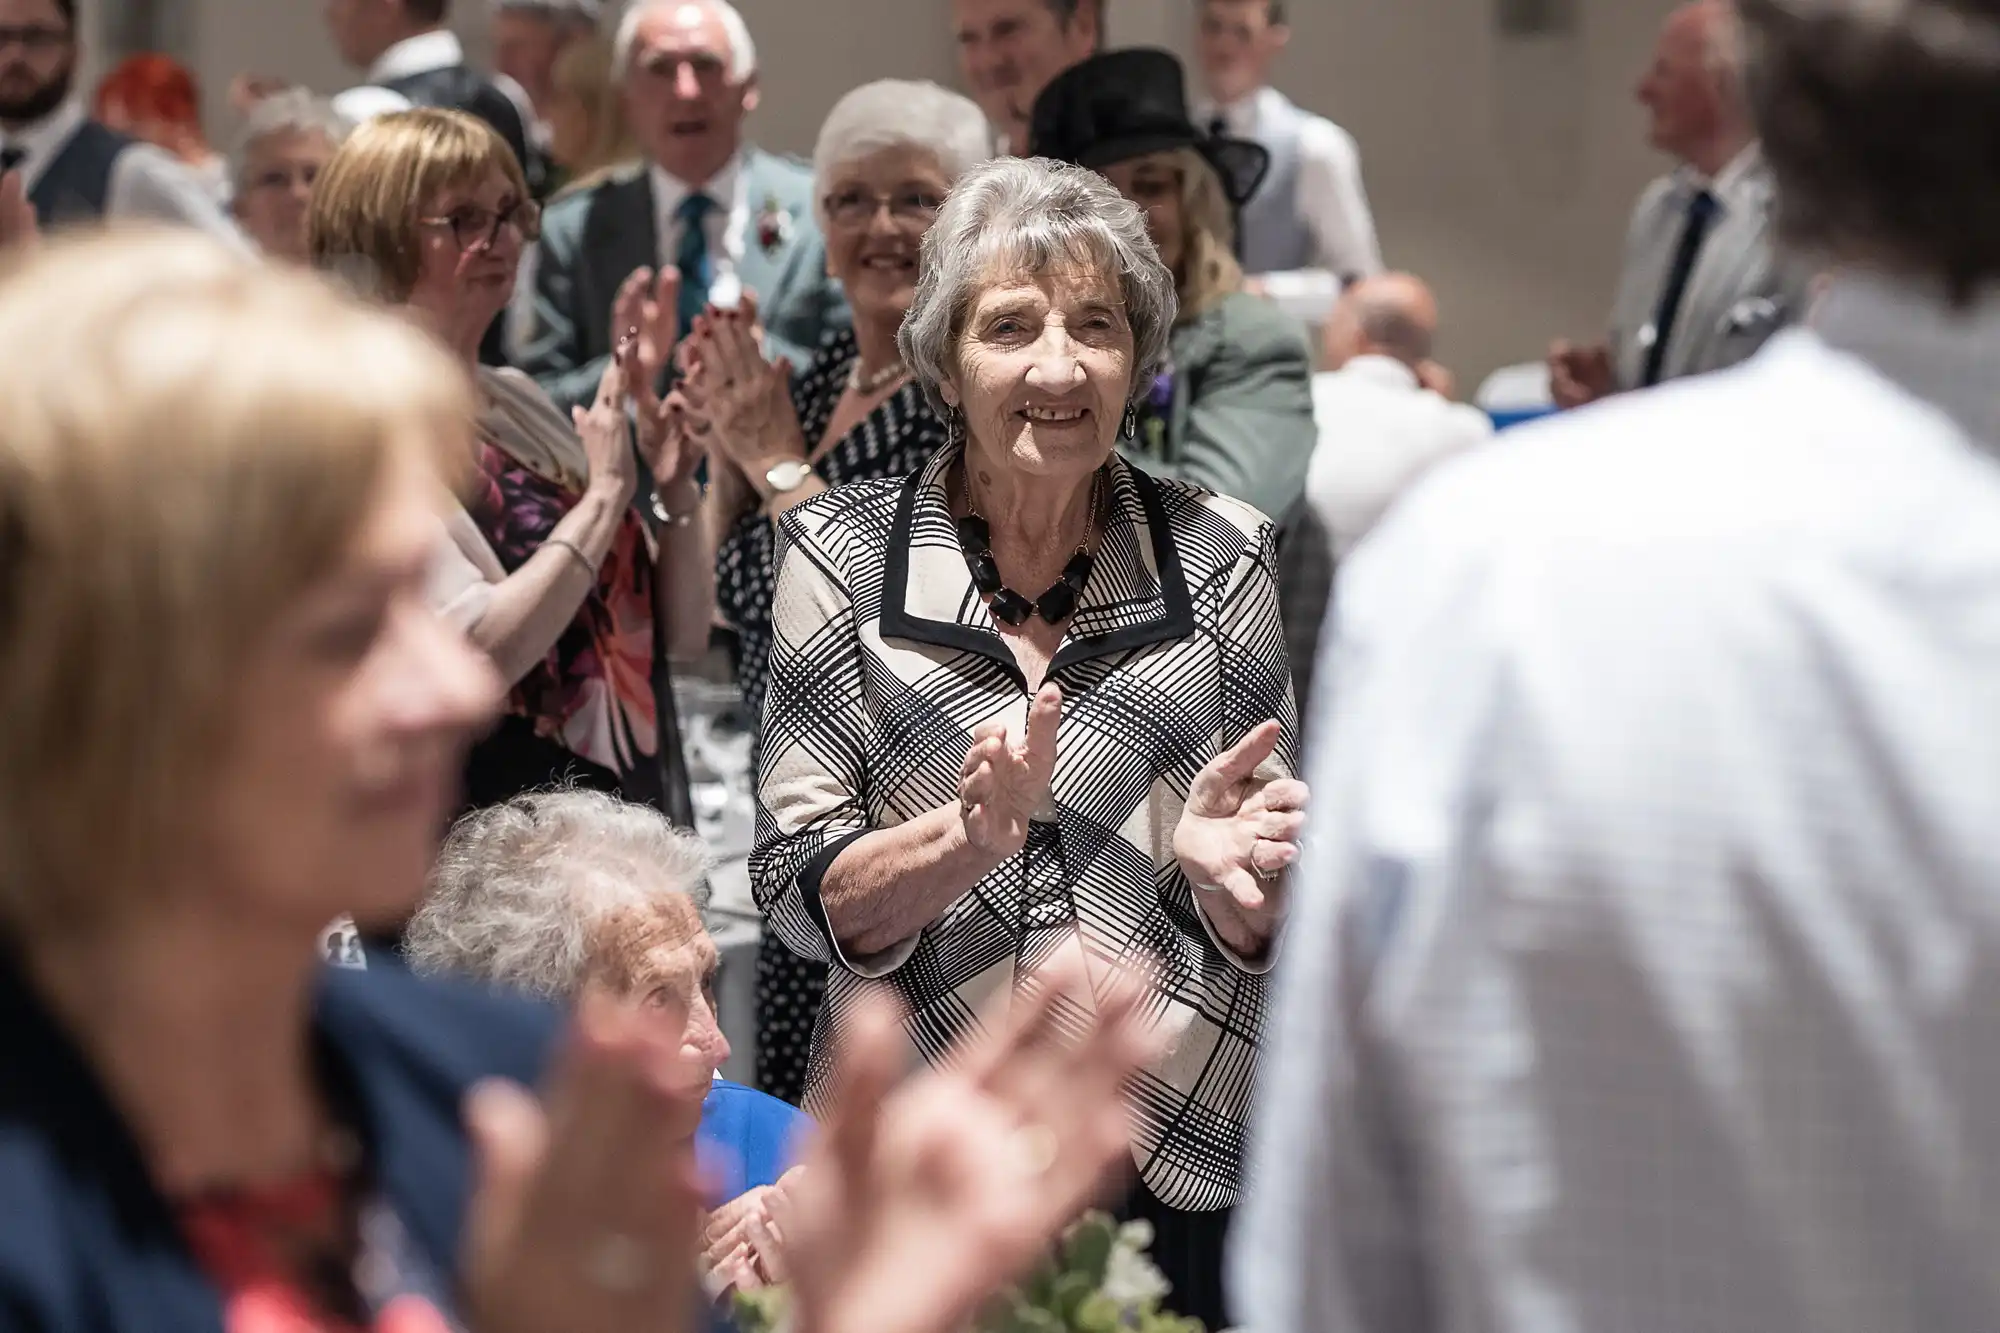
815 744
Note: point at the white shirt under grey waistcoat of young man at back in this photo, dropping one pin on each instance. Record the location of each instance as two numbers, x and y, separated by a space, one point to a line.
1331 201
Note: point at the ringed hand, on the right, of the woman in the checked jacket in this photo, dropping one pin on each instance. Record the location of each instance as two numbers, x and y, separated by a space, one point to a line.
1239 834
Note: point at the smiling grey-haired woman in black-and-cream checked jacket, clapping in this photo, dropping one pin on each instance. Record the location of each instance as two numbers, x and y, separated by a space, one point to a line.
1033 702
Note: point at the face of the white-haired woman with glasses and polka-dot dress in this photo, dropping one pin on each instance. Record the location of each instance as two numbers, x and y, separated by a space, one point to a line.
877 215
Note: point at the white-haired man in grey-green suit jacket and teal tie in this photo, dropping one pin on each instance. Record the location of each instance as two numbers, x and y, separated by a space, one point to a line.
729 217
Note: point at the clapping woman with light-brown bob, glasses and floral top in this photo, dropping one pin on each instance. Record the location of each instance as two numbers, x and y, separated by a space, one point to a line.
557 565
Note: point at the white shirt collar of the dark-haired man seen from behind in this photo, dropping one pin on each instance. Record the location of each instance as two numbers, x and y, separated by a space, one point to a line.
1915 337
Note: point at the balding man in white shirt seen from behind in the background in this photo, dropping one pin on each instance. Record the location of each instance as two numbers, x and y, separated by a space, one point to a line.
1381 421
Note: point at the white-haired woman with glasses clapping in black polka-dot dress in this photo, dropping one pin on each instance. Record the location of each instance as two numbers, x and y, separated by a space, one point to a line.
889 153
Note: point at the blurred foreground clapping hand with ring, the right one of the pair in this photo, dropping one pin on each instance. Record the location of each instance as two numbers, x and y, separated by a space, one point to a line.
919 1204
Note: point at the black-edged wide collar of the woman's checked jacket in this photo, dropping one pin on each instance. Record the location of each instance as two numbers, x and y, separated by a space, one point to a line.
1137 593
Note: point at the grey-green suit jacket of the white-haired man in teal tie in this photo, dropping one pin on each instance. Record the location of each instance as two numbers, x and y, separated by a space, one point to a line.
597 237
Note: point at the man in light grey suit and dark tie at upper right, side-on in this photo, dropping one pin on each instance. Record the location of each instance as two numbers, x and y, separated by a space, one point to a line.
1703 285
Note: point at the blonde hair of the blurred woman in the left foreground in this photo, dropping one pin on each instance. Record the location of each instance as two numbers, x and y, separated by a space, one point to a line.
191 441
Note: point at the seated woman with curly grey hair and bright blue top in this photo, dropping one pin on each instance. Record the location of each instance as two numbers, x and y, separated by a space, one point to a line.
573 892
